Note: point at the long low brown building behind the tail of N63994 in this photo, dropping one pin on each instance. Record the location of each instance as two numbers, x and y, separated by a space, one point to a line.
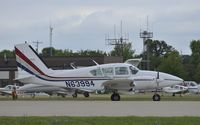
8 67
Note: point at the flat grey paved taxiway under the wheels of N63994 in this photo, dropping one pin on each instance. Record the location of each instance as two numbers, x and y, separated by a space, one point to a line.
99 108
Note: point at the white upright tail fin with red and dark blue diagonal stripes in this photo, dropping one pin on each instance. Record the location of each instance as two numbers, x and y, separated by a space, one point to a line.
29 61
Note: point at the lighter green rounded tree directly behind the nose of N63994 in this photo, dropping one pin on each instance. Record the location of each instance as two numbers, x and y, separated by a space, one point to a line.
172 63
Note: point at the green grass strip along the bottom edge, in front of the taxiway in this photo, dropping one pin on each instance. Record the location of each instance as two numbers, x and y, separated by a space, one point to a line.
99 120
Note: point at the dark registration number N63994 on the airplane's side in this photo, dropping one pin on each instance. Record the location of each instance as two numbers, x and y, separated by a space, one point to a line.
79 83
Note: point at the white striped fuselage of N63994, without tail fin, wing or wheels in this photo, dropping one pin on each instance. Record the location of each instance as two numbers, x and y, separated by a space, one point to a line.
92 78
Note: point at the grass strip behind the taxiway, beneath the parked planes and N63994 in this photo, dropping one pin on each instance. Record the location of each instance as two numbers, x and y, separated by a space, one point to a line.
100 97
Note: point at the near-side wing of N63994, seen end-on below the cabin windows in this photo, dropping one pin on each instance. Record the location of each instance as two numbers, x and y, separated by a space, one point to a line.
119 84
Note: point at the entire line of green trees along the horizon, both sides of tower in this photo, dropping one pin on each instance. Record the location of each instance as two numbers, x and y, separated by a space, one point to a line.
162 57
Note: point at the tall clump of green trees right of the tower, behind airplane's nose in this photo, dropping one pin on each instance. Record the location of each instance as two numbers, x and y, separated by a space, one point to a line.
167 59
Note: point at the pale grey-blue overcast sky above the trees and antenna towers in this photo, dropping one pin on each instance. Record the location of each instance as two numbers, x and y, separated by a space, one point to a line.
82 24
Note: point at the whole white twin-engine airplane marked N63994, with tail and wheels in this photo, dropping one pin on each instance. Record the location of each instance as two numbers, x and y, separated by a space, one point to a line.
117 77
